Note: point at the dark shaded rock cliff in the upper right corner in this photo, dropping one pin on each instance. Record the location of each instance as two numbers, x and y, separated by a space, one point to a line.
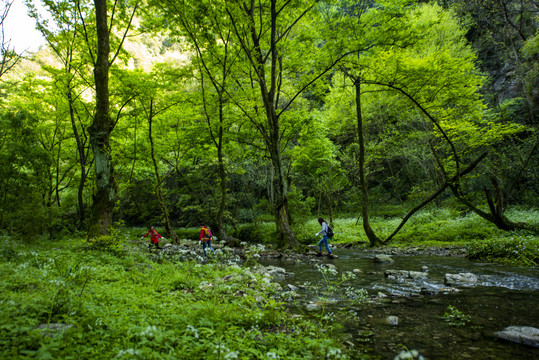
503 34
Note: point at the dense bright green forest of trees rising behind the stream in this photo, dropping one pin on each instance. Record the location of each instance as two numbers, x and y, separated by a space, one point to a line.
177 113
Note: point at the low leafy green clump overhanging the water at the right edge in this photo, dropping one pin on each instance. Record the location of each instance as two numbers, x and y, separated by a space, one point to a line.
513 248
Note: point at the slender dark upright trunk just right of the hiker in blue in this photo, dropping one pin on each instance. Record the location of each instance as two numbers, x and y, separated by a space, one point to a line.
373 239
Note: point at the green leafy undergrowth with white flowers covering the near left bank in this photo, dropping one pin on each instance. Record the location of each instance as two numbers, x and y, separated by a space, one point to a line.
61 300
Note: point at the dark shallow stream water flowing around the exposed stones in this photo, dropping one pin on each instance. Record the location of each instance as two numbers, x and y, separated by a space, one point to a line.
503 296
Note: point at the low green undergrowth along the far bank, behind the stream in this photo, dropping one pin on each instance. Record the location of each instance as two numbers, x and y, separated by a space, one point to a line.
443 227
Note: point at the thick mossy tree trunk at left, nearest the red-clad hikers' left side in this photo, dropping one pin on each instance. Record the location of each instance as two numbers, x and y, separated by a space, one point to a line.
100 130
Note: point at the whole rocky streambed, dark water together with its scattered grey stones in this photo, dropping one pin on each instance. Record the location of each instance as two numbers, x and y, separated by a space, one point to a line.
431 300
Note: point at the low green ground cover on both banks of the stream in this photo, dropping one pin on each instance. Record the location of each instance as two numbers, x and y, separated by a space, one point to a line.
71 299
